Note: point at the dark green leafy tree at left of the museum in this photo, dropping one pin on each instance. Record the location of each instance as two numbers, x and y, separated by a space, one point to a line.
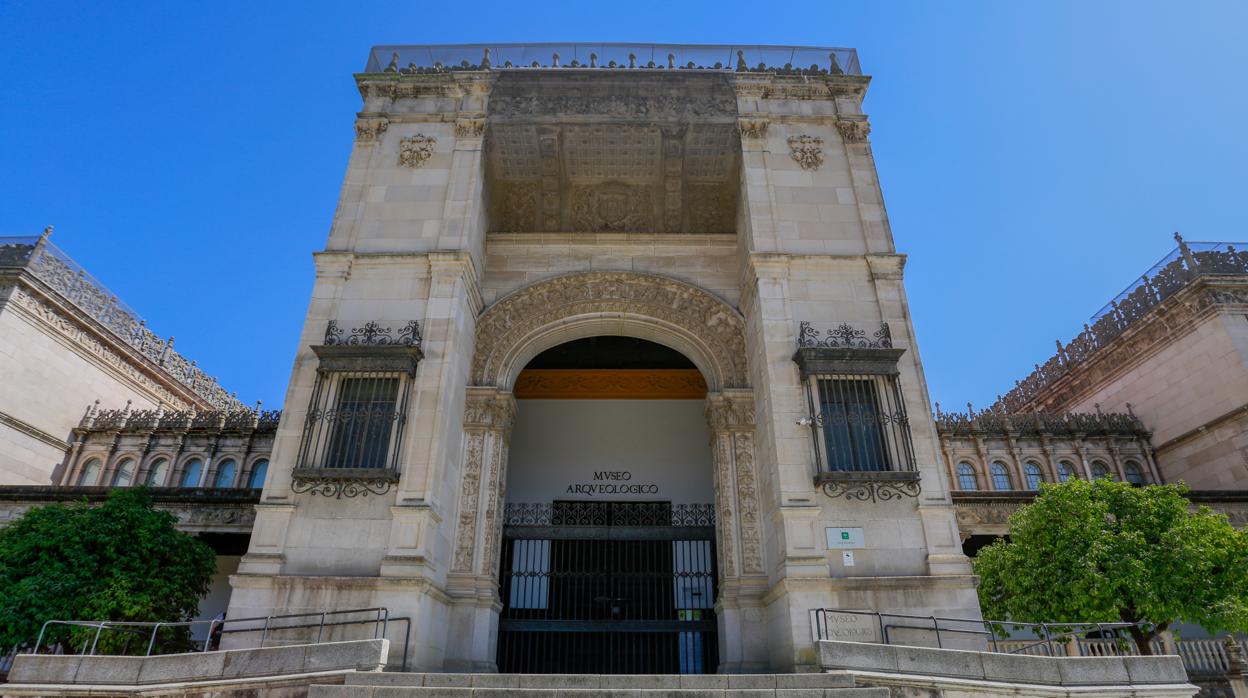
118 561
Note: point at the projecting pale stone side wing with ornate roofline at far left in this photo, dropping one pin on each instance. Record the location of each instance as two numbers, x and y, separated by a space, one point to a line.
66 339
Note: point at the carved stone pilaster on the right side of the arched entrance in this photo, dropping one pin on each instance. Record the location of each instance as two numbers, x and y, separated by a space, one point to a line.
739 533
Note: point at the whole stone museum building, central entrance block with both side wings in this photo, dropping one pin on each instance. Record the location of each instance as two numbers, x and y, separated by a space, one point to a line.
578 304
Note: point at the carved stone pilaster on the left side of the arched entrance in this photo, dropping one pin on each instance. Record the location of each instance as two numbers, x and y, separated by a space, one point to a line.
472 584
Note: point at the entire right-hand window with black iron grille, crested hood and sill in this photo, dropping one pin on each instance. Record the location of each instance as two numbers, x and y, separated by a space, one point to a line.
858 415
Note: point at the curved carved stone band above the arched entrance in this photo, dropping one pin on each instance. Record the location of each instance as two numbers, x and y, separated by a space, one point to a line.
686 318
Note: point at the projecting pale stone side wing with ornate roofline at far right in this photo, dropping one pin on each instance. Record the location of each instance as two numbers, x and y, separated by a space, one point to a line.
1174 350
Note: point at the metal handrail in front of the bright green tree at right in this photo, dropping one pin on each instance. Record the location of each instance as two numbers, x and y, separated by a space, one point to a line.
1051 632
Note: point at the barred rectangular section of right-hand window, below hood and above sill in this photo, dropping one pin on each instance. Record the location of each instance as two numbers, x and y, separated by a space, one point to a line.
862 424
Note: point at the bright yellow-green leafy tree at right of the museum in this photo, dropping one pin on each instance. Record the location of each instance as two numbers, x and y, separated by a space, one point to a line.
1109 553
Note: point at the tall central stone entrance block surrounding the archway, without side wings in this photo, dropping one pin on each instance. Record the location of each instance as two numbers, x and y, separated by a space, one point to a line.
511 203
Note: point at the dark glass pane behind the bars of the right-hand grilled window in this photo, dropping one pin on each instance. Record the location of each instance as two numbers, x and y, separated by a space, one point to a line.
853 433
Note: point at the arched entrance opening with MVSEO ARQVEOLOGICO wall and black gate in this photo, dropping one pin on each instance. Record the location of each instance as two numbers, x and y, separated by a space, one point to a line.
608 545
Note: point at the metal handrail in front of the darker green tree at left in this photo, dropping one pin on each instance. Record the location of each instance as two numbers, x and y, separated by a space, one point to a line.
381 626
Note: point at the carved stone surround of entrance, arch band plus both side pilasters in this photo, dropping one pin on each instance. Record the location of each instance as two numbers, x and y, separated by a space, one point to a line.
704 330
